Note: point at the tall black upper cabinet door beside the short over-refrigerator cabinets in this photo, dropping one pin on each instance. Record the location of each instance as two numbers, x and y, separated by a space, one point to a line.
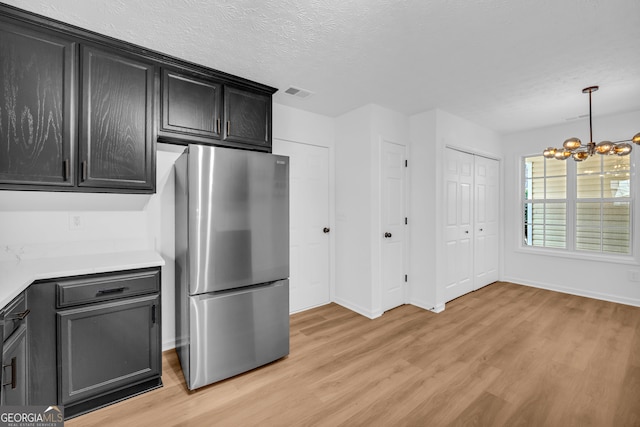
116 140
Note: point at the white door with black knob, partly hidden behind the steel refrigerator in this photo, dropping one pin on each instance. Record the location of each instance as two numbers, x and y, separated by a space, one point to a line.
309 223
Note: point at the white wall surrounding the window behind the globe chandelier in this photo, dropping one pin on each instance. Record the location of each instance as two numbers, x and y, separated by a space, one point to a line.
605 278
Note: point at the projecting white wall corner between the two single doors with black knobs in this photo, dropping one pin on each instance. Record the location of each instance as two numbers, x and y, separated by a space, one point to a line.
359 136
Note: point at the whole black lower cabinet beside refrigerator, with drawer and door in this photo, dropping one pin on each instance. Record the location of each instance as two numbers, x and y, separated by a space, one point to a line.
94 340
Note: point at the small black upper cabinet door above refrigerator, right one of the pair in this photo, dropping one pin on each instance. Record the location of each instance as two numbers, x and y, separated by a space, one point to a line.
247 117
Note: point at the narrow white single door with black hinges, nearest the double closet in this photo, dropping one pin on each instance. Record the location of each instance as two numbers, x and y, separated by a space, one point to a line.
393 224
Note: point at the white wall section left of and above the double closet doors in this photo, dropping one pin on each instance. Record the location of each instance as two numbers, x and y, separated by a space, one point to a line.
431 132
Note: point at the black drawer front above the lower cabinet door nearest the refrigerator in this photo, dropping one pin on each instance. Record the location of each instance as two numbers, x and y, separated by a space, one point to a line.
106 287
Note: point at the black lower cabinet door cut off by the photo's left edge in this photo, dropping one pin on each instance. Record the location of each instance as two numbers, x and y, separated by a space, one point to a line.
14 369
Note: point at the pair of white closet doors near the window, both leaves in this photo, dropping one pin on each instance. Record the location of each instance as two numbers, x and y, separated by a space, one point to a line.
471 222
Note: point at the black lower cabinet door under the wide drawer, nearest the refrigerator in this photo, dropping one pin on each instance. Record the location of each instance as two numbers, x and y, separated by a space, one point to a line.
103 347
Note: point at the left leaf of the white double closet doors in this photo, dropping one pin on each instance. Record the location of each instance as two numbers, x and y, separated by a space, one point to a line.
458 223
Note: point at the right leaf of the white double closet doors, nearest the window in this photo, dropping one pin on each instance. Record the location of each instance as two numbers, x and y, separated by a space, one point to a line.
485 266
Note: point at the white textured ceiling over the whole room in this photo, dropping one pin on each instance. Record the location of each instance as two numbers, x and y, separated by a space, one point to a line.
506 64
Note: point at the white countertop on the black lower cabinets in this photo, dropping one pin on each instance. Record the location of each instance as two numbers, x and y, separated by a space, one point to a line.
17 275
